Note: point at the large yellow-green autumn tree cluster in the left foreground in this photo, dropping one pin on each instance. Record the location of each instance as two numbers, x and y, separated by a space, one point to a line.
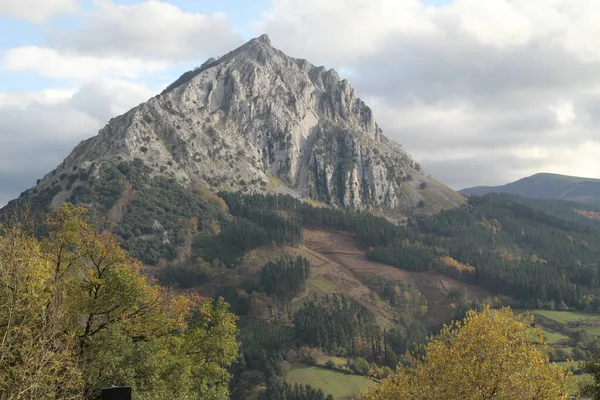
76 314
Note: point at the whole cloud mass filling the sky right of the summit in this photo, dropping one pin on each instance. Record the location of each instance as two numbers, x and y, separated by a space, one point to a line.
480 92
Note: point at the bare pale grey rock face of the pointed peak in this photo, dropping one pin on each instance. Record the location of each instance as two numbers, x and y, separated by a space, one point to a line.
258 120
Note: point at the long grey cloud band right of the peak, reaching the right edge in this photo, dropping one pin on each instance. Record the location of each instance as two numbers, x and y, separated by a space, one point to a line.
435 70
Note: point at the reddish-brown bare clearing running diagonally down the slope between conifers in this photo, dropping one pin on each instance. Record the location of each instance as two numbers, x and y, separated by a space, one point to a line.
339 248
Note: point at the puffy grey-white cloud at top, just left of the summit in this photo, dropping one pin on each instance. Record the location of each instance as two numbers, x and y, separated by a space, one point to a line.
151 30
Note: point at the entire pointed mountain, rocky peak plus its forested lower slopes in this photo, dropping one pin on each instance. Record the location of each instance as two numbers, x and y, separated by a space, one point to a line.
264 180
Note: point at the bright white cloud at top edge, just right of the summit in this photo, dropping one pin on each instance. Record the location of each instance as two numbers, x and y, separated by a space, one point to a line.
342 30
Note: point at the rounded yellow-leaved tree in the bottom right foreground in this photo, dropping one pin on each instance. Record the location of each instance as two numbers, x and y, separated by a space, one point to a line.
488 355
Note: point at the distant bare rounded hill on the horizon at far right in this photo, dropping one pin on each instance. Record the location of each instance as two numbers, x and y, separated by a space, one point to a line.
546 186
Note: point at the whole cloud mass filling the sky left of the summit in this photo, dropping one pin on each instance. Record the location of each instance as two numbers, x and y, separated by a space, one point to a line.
104 55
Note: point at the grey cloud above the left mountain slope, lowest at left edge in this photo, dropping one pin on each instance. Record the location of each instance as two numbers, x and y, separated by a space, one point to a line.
45 126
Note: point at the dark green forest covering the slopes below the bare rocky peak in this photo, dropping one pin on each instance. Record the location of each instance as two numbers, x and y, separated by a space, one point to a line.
526 253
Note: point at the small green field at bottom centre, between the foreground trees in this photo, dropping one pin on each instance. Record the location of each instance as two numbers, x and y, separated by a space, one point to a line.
340 385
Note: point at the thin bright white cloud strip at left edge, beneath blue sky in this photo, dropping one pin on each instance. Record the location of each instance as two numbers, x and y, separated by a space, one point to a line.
54 64
